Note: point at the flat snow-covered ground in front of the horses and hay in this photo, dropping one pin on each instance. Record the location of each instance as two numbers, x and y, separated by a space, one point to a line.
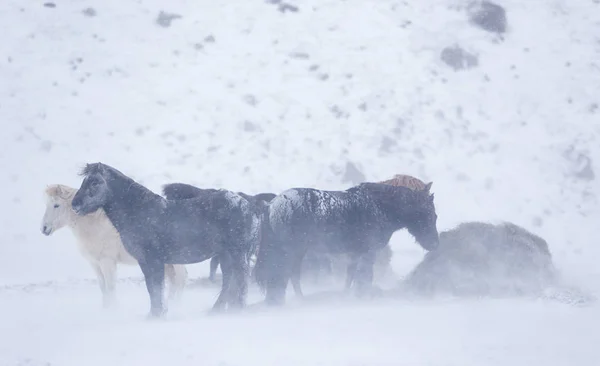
66 327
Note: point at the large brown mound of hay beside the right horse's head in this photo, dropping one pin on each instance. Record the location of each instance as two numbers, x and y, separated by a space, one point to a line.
481 259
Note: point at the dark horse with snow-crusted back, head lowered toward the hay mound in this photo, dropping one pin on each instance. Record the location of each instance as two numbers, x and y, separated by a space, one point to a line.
358 221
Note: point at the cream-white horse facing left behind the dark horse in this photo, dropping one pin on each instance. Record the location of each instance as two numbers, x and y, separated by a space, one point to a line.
99 242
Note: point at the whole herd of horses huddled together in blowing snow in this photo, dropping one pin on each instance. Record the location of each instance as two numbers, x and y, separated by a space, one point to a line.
117 220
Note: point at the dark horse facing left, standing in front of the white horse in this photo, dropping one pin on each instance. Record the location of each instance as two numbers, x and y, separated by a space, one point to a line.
158 231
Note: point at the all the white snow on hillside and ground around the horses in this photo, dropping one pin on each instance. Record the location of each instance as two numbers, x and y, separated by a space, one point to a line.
245 96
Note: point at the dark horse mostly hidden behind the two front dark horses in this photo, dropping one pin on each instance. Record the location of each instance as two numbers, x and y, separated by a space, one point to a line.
259 202
